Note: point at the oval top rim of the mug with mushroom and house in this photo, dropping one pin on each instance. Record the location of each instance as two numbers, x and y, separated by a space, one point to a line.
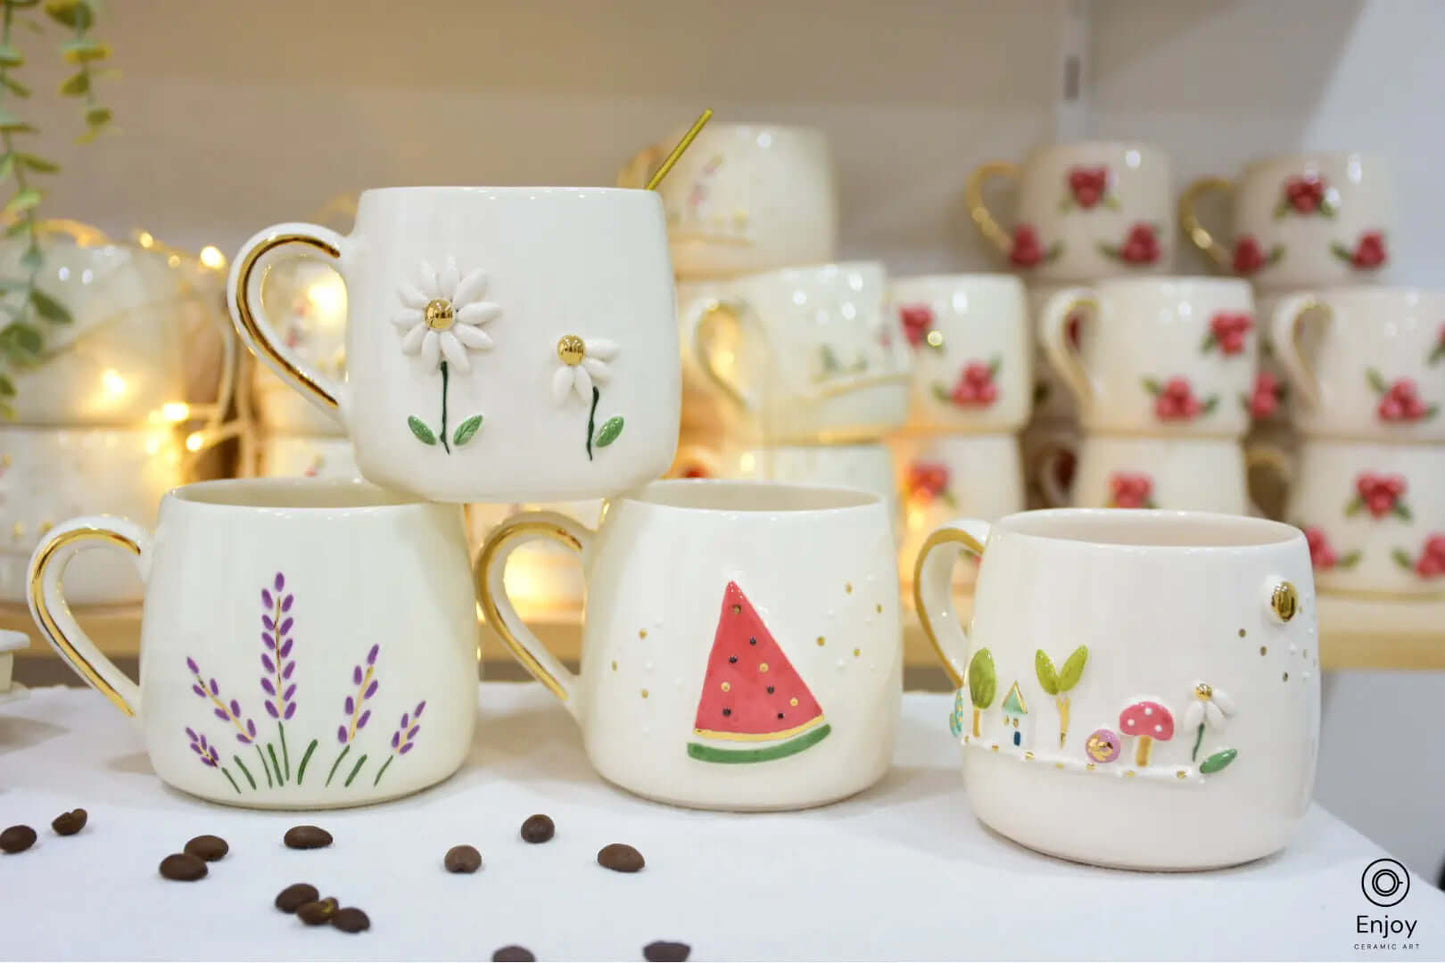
1251 533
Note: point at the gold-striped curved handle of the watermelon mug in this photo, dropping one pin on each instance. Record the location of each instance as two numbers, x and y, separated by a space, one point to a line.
502 615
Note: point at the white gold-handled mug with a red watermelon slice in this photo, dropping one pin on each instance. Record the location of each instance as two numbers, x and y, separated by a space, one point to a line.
742 647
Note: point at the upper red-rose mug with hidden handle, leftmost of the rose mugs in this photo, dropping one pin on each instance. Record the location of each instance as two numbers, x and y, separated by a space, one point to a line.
972 351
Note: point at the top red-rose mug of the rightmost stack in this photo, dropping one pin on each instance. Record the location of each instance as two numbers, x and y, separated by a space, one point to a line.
1301 221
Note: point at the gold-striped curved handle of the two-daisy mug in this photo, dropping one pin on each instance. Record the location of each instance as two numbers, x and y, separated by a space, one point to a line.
243 294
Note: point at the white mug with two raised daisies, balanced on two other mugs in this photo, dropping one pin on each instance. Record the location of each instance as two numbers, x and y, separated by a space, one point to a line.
502 343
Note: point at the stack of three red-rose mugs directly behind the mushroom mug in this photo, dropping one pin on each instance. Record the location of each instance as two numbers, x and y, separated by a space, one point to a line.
1157 369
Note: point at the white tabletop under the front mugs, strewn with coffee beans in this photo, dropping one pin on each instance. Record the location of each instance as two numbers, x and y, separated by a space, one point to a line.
900 873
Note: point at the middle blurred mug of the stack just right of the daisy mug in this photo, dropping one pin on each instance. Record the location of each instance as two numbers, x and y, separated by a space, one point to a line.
817 358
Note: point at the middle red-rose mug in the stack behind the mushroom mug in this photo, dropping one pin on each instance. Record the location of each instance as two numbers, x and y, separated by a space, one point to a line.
1160 355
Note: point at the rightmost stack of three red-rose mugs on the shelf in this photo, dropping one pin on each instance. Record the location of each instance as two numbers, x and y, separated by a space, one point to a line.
1363 362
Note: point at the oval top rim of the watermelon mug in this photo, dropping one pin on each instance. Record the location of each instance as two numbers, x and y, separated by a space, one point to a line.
826 500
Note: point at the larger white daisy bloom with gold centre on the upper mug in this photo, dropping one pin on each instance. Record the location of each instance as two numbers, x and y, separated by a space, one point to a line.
443 316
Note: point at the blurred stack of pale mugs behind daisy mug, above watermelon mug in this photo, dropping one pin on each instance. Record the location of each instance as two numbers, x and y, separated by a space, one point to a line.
793 367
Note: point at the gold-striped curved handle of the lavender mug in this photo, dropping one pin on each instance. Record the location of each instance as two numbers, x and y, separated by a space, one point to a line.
53 614
